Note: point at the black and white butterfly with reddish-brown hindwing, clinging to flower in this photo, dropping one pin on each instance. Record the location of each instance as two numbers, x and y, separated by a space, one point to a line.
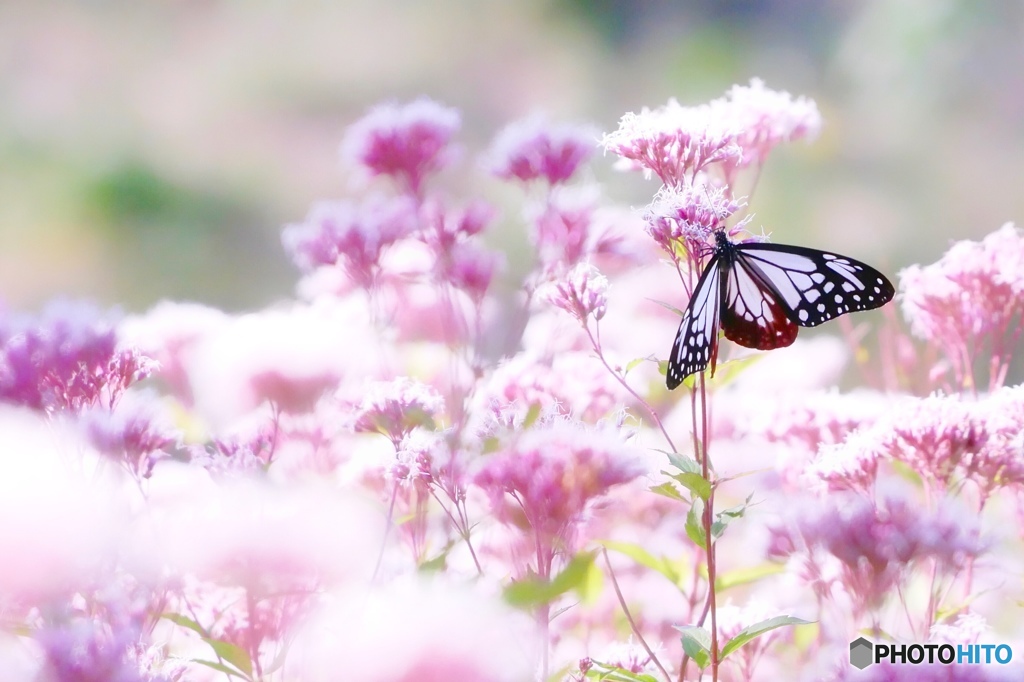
758 294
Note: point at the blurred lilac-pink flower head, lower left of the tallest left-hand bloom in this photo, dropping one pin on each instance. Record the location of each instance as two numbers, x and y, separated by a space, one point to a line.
354 235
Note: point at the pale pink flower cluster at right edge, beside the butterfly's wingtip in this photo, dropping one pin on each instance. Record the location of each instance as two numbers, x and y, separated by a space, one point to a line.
970 303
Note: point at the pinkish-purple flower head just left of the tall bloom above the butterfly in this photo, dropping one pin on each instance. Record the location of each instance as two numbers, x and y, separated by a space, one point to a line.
534 149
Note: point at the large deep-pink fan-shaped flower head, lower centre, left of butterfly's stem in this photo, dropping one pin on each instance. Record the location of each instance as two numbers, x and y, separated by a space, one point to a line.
549 477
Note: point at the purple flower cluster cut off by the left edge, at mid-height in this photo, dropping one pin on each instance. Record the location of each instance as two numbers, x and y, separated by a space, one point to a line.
67 360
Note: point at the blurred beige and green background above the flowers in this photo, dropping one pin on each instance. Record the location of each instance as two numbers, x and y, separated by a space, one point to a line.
154 150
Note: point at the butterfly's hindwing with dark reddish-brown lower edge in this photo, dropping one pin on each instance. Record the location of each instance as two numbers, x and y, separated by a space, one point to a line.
754 314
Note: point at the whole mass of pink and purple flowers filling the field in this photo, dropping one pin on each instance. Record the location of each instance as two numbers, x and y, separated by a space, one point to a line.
255 524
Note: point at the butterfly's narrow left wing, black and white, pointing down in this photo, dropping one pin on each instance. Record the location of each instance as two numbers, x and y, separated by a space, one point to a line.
697 342
